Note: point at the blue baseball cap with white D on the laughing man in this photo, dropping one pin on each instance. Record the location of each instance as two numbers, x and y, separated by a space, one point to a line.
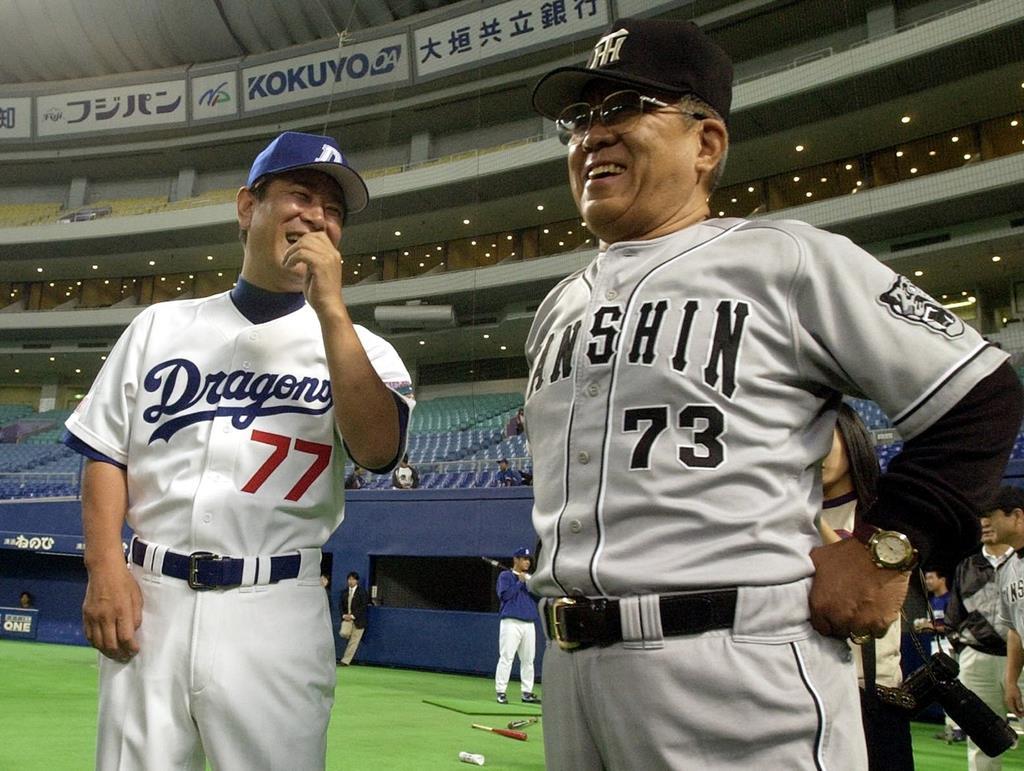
294 150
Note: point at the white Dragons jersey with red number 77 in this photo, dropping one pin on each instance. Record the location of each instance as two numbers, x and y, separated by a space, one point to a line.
227 427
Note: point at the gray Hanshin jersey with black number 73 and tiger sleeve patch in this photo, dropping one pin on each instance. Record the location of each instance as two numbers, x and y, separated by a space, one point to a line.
687 389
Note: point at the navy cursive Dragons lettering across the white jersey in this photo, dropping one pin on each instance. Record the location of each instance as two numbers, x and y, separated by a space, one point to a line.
182 387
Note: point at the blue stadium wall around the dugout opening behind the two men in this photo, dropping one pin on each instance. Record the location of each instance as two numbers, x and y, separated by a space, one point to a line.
491 523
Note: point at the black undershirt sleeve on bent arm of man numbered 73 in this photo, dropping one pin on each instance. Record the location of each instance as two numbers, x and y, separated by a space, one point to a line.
937 486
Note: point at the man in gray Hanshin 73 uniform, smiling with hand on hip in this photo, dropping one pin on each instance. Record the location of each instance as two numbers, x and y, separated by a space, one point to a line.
682 394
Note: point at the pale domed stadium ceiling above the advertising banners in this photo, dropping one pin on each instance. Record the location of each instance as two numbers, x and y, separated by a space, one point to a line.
54 40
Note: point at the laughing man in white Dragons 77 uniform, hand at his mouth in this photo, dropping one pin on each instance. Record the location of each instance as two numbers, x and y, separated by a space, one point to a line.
219 430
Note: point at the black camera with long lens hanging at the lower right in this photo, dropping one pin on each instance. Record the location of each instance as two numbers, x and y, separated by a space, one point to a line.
936 681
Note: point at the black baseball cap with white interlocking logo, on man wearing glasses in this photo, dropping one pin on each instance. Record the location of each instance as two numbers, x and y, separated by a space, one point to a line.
670 58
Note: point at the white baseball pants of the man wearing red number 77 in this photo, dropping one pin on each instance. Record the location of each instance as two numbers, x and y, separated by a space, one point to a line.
241 677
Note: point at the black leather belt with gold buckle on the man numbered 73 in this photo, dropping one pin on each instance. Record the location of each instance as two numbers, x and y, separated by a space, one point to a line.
579 622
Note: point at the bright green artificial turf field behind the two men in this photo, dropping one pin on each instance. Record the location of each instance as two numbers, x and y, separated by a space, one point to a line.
49 704
